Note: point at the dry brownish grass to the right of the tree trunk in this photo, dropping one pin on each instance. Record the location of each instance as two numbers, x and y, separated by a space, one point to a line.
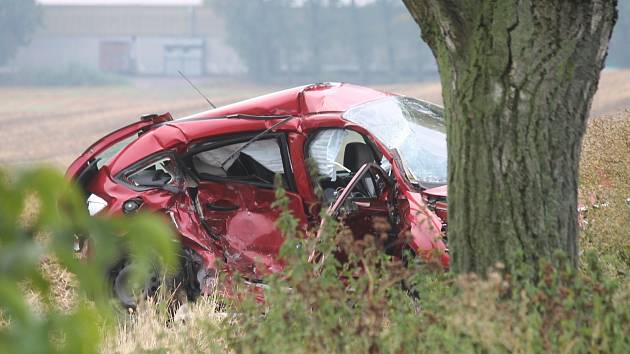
605 191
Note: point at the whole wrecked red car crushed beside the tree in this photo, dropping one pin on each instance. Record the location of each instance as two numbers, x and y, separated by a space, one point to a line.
376 155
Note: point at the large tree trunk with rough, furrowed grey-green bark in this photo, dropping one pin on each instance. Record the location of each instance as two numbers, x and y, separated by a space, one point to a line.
518 77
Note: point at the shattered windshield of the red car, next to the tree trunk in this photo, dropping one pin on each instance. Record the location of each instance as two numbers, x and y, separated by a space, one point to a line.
412 127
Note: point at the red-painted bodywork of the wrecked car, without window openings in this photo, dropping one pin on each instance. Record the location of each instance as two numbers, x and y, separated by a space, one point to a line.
240 221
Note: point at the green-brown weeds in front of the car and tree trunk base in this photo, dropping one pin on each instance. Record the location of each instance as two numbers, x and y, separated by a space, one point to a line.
375 303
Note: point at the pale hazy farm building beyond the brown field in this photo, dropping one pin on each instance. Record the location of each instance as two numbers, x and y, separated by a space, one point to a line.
156 39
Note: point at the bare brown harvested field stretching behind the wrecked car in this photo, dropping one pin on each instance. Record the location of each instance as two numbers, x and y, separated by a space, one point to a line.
54 125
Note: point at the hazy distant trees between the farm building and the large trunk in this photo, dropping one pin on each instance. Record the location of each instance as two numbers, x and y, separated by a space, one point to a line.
319 40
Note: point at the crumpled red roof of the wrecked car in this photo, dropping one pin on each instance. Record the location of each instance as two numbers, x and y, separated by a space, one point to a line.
300 102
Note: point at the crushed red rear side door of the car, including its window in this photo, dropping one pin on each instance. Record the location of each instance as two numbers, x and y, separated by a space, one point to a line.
236 195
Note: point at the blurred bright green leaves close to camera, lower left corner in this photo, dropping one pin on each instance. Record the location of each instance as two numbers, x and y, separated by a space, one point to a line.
40 214
